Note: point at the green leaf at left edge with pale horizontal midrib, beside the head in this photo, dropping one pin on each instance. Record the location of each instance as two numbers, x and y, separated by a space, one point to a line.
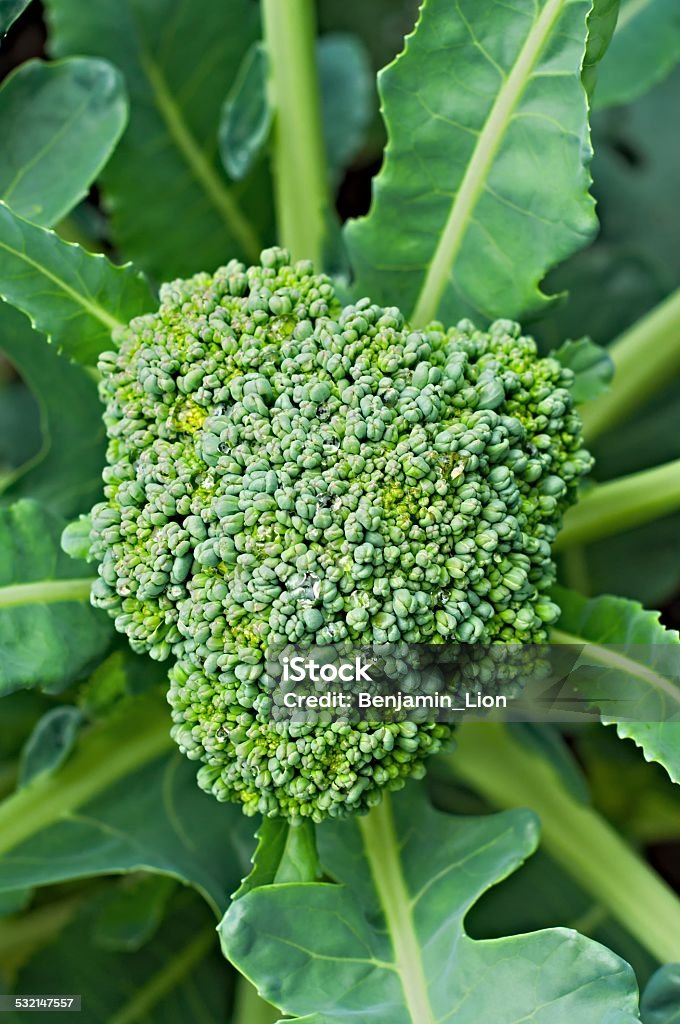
50 634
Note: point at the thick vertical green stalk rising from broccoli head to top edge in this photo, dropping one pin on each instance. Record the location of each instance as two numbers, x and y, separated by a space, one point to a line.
300 159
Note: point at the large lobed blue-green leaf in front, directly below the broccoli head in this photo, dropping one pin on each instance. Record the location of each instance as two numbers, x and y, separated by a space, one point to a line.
388 946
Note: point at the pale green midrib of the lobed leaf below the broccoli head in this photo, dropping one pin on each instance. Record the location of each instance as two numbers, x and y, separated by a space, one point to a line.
382 851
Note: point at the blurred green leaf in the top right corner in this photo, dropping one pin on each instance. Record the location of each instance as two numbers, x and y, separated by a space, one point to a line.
645 50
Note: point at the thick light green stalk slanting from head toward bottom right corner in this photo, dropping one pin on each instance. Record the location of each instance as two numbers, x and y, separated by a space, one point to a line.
509 775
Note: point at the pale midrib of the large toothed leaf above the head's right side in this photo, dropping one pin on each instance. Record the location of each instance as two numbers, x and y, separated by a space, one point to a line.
475 180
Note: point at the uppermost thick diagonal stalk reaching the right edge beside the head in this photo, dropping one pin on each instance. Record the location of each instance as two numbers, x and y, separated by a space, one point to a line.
646 359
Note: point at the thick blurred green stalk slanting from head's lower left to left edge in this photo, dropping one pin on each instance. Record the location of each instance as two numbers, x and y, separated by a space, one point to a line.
136 735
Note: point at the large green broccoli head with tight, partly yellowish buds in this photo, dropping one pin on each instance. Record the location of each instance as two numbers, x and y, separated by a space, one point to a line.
285 471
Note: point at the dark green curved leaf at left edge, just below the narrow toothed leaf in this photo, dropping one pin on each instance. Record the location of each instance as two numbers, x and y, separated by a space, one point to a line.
66 474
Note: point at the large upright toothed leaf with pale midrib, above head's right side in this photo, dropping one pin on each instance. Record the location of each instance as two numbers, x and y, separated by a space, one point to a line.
485 185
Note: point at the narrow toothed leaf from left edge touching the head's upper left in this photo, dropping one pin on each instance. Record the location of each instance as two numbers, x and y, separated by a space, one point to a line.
75 297
